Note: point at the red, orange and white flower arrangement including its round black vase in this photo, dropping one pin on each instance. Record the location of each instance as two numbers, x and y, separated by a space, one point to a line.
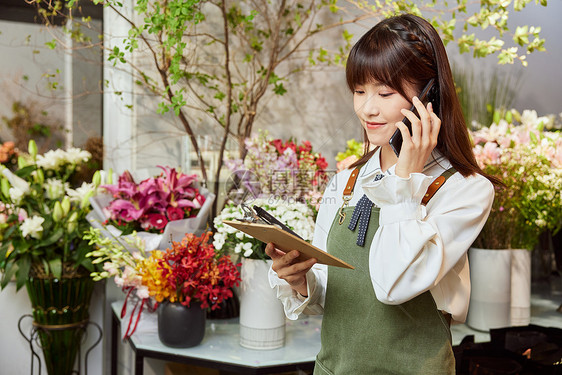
181 282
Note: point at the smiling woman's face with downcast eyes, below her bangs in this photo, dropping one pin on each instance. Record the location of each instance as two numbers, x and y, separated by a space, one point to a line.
378 108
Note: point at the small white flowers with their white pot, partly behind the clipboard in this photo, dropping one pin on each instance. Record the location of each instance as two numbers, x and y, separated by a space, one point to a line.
262 318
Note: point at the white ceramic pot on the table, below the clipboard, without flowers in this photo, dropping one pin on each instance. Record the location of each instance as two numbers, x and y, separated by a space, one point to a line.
262 318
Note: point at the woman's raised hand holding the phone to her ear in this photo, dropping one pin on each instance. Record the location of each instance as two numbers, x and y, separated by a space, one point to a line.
417 148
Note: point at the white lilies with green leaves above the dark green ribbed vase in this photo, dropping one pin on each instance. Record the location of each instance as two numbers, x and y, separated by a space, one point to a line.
43 213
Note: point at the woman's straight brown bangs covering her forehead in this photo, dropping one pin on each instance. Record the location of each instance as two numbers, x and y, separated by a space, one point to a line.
380 55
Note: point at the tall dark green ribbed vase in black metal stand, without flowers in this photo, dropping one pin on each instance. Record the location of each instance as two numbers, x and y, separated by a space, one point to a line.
60 314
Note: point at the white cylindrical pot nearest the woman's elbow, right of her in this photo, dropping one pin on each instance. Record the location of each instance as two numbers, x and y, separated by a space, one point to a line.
490 296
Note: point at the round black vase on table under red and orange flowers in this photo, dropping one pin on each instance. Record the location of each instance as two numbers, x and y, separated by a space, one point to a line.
180 326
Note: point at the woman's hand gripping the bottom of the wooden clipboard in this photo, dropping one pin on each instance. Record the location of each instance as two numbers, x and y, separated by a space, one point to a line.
288 268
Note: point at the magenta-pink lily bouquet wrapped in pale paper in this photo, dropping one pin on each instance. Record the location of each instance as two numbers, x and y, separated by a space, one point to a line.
160 209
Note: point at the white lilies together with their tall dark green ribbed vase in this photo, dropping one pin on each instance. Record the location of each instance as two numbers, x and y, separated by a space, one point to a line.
42 219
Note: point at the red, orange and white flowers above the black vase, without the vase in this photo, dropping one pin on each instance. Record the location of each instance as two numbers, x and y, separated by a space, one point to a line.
191 270
